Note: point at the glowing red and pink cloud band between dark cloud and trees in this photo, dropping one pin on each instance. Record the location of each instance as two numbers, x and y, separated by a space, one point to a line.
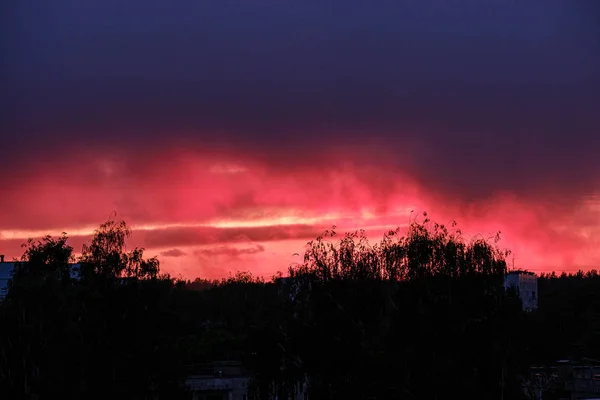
189 200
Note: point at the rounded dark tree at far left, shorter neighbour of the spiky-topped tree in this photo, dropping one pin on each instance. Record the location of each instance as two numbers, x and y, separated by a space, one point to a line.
38 318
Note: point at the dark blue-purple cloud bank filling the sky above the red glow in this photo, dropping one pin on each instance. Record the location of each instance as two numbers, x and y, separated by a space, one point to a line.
469 97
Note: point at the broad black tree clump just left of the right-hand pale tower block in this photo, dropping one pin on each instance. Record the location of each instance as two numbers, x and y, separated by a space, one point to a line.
417 308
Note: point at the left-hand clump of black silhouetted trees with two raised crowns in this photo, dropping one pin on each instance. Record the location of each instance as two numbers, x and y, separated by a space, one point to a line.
89 331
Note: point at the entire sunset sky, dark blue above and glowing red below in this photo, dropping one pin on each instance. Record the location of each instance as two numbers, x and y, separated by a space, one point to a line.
230 133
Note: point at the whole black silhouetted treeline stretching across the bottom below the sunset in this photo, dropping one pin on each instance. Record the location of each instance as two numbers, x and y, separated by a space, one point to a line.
420 315
